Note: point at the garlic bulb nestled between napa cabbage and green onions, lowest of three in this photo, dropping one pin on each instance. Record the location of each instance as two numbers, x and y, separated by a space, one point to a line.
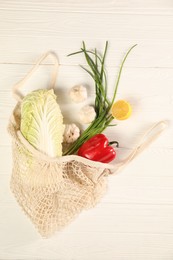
71 133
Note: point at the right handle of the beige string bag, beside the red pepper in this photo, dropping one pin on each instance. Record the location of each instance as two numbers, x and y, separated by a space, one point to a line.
145 141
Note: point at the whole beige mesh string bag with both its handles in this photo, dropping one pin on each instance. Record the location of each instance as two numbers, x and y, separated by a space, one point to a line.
53 191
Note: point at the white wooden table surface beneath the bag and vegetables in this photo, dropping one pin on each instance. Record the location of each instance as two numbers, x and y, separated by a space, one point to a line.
134 221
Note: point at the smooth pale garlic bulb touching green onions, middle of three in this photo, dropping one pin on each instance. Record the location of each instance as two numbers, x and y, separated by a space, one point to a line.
87 114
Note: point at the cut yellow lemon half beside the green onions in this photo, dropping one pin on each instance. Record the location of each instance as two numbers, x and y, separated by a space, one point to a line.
121 110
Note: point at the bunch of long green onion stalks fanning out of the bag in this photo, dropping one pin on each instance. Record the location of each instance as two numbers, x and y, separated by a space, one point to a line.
96 63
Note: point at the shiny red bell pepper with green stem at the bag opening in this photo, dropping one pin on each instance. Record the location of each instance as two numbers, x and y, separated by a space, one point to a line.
97 149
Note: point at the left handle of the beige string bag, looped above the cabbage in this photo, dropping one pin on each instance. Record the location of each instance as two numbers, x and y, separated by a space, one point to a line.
15 90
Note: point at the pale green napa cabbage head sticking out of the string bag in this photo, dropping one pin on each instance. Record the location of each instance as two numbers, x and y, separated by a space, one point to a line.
42 122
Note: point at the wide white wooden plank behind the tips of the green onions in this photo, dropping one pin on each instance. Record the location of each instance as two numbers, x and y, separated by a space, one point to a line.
56 31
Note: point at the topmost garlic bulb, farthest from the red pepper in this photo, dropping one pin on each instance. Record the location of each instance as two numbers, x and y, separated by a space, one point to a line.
78 93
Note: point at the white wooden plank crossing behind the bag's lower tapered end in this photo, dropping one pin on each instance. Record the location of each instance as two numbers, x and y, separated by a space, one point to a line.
146 219
